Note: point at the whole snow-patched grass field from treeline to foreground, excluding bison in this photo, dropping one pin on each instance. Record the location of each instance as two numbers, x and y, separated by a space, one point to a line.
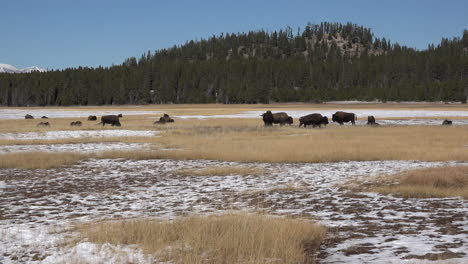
184 180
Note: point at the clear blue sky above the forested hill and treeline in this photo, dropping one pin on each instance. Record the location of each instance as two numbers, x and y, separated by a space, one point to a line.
57 34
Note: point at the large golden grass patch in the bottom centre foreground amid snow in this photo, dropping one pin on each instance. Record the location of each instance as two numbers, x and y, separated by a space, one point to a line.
230 238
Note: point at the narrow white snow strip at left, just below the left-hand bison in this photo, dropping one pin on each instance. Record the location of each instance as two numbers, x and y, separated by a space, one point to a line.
60 134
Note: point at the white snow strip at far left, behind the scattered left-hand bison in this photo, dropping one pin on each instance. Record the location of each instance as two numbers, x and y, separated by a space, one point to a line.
59 113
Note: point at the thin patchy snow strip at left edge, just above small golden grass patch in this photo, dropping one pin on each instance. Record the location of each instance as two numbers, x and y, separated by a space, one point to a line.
82 147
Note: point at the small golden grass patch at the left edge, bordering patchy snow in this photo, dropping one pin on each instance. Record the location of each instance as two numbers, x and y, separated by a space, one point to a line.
38 160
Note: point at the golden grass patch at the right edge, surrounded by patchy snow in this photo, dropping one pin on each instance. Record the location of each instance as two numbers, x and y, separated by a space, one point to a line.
424 183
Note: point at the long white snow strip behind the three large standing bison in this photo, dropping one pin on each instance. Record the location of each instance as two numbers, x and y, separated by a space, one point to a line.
361 113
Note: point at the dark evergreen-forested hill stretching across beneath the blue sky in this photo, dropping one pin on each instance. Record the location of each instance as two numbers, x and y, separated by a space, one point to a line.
330 61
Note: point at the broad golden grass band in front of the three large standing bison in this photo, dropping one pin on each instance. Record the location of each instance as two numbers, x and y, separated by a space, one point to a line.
291 144
